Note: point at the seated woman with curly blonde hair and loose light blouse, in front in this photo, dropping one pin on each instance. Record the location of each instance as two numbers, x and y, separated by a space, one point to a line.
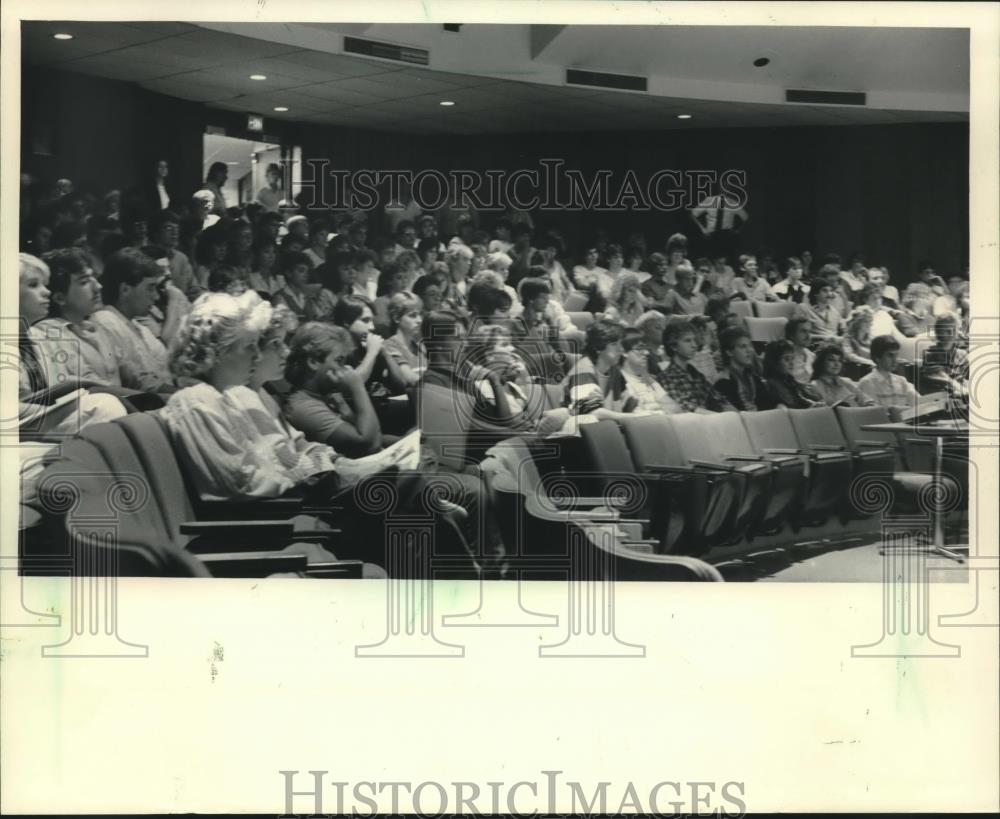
236 449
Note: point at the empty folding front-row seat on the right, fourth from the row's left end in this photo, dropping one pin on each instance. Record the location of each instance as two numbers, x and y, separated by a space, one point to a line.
827 473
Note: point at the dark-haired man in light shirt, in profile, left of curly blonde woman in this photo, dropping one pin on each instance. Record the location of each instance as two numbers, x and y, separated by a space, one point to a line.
131 283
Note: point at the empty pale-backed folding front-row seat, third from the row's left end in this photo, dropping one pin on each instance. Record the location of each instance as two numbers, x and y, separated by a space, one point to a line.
772 483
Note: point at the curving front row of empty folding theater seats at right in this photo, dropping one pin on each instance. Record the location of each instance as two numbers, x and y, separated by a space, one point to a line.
715 484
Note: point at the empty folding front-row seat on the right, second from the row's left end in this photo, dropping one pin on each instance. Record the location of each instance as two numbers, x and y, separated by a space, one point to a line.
715 493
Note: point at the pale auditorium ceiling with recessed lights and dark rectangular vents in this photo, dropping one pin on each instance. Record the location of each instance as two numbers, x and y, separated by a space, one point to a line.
703 71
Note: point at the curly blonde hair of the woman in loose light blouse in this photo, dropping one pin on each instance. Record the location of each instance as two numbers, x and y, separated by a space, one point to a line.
212 327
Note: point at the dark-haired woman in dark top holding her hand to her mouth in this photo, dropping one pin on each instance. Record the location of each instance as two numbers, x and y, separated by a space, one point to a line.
378 371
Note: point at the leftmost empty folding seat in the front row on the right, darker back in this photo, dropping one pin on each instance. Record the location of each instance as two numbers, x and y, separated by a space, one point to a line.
612 471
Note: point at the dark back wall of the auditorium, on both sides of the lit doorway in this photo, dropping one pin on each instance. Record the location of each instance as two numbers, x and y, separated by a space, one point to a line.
898 193
